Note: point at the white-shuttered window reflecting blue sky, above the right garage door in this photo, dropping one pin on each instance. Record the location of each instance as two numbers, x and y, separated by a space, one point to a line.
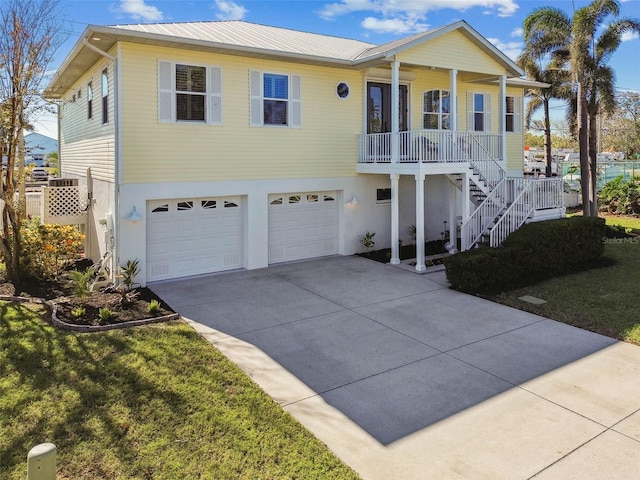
275 99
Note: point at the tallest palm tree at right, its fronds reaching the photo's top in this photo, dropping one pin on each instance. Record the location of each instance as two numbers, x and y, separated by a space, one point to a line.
549 31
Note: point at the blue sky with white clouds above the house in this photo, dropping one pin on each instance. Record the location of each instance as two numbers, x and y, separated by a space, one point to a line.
373 21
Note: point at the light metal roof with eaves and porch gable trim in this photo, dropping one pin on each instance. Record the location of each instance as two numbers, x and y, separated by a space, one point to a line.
253 40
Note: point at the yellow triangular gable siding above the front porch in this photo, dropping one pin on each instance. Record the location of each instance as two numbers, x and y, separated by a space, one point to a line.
452 51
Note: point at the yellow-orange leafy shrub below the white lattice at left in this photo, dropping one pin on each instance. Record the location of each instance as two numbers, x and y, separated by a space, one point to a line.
46 250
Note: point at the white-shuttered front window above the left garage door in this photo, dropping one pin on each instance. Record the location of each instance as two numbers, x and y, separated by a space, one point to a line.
189 93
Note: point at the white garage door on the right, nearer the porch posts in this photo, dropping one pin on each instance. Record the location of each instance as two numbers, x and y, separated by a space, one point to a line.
302 225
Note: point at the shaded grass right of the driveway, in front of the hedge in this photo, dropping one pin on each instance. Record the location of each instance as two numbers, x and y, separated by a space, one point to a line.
603 300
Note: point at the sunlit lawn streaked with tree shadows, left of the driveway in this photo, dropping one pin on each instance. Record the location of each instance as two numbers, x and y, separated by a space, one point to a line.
154 402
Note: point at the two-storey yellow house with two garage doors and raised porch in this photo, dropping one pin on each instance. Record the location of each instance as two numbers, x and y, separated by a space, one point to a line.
212 146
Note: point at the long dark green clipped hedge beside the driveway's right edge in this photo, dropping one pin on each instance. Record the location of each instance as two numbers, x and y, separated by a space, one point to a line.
535 251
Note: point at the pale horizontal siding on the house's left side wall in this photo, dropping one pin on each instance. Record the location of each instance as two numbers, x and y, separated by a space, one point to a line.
87 142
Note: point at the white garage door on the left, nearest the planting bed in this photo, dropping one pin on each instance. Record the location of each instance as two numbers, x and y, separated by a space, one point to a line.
194 236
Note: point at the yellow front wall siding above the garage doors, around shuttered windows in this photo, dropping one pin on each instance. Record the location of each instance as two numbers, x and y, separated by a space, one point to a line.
324 146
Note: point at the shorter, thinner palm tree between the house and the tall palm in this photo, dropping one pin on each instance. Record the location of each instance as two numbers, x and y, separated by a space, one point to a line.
559 88
